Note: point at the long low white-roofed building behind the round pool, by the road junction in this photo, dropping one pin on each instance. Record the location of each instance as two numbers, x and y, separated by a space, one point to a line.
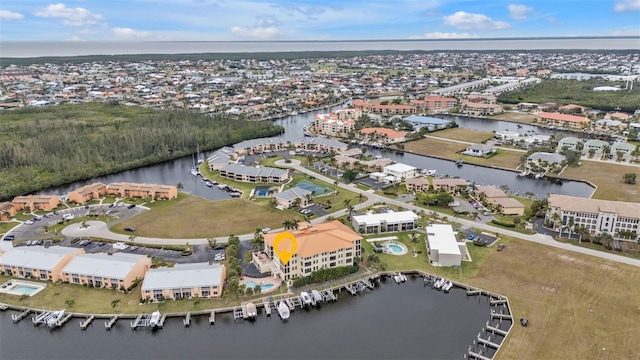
391 221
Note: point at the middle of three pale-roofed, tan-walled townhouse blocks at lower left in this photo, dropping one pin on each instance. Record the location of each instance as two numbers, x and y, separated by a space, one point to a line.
116 271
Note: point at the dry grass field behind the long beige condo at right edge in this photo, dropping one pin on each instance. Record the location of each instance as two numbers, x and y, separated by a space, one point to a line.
608 178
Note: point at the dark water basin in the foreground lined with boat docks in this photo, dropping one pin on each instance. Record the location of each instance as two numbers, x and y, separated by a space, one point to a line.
406 321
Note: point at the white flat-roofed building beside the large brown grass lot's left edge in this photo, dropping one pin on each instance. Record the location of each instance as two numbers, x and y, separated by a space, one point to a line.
442 246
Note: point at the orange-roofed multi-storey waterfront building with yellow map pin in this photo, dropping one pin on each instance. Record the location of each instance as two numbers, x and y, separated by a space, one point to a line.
319 246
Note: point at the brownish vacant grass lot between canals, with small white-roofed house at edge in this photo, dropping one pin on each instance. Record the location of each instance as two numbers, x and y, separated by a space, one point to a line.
449 150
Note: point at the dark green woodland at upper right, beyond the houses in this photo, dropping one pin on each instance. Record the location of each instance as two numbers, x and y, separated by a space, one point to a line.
581 93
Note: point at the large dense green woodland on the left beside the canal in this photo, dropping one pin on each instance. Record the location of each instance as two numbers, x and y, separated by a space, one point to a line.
44 147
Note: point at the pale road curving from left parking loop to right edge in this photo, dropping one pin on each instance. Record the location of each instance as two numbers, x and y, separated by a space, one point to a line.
100 229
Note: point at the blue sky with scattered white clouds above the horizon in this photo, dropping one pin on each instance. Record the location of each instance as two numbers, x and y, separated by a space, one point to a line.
242 20
